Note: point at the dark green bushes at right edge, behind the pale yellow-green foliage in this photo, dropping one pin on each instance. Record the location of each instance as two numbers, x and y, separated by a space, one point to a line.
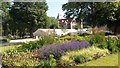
99 40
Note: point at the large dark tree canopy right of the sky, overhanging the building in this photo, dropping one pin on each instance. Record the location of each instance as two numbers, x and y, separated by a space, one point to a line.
95 13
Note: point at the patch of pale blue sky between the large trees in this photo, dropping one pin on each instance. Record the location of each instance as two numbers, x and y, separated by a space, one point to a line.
55 7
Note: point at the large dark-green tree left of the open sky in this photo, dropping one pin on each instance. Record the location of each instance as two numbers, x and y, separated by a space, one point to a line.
29 16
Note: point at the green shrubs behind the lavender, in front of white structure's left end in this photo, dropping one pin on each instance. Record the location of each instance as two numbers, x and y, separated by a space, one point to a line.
43 41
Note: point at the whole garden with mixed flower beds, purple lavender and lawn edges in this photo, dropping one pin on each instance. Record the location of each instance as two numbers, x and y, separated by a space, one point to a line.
65 51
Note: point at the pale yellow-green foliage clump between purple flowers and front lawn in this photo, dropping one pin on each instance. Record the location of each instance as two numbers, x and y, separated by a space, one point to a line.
82 55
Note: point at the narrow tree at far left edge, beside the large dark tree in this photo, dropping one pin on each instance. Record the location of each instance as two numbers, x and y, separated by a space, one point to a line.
4 14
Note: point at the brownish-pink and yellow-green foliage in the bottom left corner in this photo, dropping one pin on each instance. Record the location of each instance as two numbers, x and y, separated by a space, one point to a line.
15 58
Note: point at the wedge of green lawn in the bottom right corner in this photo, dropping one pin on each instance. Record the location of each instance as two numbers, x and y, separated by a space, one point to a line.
111 60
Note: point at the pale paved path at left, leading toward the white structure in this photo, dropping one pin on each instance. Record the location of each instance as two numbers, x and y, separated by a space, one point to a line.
17 41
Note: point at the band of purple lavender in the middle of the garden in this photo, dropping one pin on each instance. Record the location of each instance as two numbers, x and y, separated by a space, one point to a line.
59 49
